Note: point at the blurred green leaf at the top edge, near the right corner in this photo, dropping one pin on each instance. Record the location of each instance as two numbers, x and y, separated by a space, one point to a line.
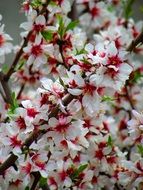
128 8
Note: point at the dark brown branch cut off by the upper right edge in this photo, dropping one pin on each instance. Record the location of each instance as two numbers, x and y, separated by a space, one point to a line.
135 42
